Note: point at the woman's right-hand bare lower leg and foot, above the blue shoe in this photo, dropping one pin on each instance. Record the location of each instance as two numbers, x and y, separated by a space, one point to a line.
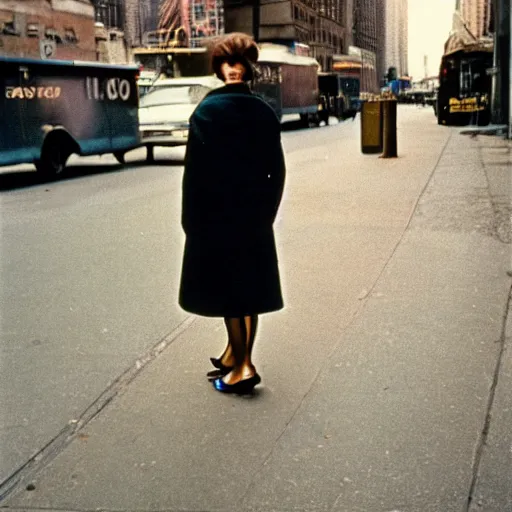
241 333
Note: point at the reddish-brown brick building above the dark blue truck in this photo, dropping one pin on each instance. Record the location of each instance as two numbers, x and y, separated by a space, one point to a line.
68 23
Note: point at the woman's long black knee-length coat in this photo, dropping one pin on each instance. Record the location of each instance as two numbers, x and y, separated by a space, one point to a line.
232 187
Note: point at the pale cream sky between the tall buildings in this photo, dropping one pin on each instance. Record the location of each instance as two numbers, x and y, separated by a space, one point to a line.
430 22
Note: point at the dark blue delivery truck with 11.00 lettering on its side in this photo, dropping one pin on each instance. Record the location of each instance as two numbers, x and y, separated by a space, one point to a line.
51 109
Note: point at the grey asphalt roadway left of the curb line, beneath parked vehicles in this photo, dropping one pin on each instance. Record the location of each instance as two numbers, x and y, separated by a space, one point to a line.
88 282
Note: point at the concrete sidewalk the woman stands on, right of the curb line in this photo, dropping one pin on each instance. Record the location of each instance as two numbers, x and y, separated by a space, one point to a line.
387 378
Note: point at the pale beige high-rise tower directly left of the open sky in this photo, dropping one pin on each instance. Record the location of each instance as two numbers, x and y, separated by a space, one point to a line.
396 35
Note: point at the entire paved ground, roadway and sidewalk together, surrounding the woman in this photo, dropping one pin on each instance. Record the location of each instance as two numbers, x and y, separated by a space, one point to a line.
387 378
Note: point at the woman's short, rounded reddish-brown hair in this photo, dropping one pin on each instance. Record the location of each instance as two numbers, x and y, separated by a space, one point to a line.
235 47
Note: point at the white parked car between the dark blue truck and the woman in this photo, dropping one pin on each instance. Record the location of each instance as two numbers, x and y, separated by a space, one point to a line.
164 111
